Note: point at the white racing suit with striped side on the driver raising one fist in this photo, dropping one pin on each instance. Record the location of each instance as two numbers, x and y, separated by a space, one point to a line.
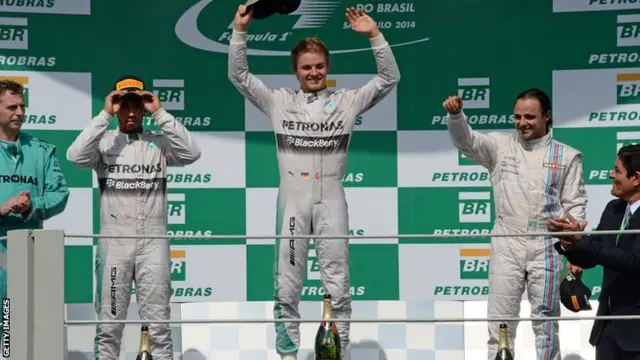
532 181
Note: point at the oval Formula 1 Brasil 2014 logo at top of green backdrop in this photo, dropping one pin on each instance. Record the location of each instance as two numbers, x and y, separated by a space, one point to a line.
277 35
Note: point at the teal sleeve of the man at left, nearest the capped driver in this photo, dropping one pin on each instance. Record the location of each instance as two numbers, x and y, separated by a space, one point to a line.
55 195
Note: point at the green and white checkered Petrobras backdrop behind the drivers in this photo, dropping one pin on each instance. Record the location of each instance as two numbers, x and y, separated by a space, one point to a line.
403 176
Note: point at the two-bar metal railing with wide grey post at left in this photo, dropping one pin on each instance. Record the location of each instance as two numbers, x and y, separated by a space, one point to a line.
36 309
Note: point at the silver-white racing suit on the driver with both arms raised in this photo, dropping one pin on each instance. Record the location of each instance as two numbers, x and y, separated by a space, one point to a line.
312 134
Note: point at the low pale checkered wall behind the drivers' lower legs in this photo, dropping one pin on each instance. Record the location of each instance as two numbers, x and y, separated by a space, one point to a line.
370 341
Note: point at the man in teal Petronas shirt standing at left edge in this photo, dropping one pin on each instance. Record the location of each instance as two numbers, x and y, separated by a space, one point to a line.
32 186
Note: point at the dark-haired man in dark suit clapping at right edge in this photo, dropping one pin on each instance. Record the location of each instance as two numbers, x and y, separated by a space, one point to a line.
619 255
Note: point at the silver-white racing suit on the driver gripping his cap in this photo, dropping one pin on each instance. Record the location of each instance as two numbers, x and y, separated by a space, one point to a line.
132 172
